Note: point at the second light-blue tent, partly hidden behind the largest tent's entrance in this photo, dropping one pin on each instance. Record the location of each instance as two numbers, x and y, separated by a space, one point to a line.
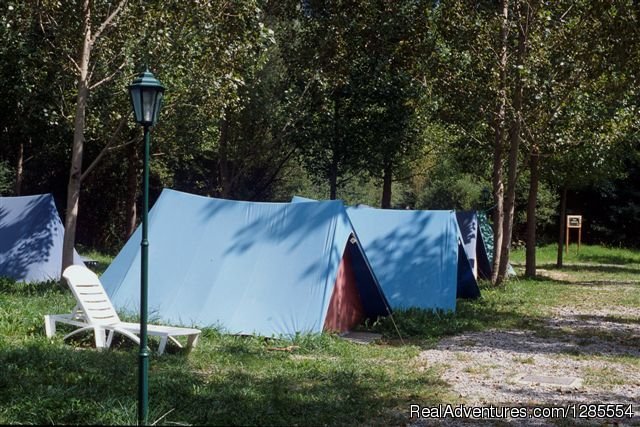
416 255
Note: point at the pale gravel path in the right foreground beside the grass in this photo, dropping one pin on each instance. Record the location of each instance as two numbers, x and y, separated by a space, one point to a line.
599 347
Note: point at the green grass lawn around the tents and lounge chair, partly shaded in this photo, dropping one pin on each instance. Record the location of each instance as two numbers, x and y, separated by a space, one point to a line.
247 380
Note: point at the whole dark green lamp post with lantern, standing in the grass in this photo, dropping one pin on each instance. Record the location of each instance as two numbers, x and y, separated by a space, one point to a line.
146 98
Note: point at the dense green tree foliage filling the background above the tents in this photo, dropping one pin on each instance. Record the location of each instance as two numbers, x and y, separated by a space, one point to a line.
266 99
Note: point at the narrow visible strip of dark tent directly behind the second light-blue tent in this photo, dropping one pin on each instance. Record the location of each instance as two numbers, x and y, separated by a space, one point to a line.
474 244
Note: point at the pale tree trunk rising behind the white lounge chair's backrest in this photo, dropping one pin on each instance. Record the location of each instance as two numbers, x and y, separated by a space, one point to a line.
73 188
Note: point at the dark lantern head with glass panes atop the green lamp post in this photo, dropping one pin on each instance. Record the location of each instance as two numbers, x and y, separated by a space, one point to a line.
146 98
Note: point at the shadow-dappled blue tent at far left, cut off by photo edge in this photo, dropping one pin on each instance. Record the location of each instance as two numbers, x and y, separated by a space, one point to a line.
31 236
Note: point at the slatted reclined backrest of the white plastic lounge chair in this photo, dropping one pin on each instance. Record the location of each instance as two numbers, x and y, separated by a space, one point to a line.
90 294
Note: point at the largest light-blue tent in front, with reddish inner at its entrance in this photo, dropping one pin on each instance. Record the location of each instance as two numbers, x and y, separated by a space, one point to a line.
270 269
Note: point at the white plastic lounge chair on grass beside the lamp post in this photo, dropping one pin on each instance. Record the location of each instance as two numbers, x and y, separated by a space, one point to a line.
95 311
